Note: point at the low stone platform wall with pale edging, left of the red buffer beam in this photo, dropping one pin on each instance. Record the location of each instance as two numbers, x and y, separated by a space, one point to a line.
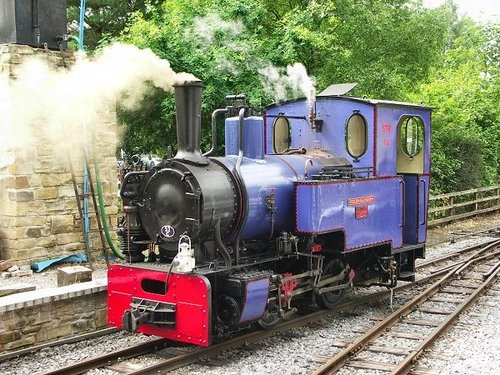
41 316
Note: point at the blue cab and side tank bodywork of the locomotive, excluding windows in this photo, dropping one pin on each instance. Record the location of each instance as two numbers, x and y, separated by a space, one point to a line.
322 208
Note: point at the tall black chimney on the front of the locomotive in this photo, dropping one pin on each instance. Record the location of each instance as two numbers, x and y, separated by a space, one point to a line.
188 115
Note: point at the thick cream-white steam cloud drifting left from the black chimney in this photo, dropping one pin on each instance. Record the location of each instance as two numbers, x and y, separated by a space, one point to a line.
56 104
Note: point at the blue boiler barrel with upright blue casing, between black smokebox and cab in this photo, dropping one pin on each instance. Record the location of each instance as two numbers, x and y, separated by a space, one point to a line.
267 180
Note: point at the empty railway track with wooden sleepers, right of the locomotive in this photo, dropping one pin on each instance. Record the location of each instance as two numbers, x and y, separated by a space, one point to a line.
416 321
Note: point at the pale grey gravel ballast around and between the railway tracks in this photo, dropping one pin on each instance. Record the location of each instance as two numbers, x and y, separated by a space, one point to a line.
471 347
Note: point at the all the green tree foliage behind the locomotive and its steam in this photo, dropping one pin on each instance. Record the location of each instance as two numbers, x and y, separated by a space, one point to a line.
394 49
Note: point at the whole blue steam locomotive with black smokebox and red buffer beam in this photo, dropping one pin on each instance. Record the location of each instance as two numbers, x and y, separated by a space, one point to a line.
312 198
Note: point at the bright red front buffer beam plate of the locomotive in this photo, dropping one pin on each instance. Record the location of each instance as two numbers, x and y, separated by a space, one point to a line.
191 294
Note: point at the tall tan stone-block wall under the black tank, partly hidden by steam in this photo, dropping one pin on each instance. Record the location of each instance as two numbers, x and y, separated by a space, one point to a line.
39 218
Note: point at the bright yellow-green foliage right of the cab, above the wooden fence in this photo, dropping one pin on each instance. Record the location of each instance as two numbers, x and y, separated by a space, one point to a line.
465 92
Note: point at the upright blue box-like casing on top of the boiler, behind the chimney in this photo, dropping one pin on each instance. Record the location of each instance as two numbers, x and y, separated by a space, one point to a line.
253 136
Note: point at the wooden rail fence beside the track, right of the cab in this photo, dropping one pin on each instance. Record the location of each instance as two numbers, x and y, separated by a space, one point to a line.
444 208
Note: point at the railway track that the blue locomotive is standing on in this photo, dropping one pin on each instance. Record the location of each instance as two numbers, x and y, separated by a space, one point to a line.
170 358
